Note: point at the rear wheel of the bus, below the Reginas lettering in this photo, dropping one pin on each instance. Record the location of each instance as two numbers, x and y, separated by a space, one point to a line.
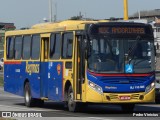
29 101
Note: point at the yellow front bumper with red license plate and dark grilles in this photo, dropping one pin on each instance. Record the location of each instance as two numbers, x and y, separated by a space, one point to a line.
140 97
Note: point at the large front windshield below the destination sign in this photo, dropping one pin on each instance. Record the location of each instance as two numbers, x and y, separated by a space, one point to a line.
111 55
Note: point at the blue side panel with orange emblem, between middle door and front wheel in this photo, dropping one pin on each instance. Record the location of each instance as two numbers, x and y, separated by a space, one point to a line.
55 91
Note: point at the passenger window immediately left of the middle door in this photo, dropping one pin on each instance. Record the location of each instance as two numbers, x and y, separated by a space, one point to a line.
35 47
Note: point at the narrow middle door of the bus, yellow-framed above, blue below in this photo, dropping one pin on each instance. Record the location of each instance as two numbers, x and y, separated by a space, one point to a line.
44 65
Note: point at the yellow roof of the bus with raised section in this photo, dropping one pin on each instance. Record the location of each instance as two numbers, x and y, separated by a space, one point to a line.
52 27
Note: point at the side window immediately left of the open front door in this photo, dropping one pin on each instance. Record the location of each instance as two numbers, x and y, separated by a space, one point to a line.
67 45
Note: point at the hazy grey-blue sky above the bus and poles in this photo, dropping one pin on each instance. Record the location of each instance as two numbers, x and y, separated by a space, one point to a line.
25 13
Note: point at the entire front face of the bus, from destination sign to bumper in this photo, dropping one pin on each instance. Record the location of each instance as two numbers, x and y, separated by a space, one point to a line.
120 64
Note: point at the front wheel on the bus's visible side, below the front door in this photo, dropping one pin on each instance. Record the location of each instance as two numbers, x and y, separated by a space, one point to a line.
72 105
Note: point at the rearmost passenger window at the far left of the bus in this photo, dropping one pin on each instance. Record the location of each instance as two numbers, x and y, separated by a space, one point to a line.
10 47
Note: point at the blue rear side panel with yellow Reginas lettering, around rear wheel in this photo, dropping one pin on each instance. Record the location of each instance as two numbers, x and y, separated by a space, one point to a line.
16 74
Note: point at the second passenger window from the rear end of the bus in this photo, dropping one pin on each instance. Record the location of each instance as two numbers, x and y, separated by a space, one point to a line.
18 48
